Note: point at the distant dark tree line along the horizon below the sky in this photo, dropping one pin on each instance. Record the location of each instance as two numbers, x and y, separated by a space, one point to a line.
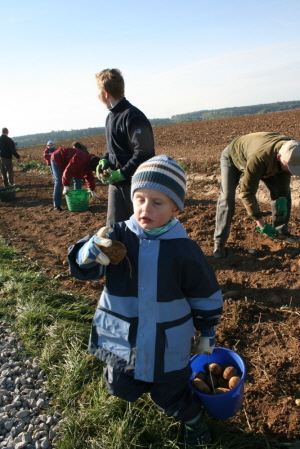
58 136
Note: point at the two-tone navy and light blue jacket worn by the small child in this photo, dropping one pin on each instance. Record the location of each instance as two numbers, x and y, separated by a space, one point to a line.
152 302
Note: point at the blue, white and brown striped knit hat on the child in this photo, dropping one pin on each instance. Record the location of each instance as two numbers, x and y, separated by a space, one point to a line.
164 174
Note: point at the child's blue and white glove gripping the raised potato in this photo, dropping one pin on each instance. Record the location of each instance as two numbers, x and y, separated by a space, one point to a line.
91 251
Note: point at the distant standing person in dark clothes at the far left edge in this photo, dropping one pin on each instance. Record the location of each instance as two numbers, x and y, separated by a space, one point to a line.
7 151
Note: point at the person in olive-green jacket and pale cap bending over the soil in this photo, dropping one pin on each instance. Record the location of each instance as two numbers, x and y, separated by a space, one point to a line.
263 156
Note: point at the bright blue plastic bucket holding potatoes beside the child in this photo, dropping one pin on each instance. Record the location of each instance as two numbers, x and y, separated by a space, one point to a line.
226 405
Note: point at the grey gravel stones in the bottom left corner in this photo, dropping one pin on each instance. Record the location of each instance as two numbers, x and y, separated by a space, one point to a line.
25 421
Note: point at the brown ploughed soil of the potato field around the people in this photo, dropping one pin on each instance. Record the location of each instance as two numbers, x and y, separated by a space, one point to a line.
261 288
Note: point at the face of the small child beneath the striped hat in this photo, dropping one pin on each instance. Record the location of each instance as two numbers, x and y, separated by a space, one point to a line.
152 208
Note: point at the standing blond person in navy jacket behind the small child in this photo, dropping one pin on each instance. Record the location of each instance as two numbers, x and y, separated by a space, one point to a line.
129 141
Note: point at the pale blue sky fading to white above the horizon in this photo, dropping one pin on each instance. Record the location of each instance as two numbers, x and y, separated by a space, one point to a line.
176 56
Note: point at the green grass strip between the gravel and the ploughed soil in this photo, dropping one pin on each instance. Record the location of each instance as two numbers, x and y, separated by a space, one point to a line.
54 326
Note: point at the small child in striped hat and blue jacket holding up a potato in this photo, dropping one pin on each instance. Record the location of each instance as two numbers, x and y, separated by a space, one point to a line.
153 299
